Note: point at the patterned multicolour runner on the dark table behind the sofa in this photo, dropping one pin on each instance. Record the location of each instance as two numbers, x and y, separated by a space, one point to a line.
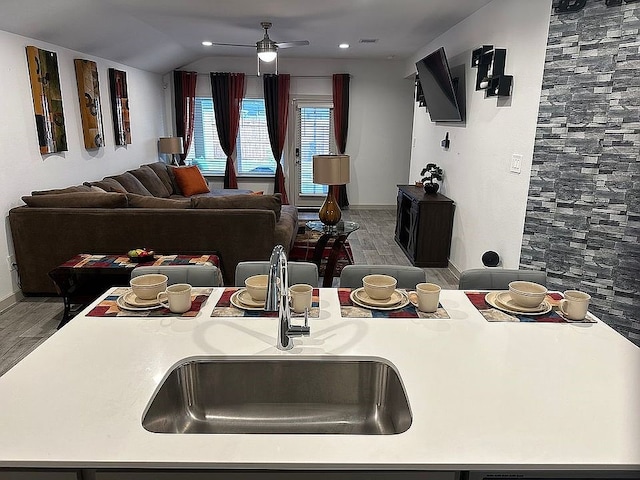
85 260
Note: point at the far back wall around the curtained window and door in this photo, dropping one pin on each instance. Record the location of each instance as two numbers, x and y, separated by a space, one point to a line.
380 112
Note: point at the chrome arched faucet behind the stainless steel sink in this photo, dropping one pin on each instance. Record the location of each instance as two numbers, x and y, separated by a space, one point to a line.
278 300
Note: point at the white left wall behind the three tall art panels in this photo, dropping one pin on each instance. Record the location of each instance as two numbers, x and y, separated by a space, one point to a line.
24 169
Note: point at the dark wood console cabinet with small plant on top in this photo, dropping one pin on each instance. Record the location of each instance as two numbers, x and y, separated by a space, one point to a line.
423 226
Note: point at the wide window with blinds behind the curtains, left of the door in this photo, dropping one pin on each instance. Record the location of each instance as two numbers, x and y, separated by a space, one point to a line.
253 152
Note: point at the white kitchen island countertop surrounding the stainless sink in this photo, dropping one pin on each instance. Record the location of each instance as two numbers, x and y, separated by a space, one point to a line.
484 396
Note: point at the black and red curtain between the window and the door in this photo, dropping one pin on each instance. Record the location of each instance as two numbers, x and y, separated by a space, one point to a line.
276 99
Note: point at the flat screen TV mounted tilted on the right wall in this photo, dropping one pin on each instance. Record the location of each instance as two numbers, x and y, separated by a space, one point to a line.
438 88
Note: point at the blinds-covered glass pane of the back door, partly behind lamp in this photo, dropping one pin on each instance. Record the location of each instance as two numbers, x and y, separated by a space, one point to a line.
315 137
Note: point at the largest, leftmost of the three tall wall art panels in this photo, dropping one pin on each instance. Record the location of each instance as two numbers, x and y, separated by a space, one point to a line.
47 99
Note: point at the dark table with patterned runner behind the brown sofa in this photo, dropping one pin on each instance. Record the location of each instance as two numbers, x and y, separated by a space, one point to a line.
83 278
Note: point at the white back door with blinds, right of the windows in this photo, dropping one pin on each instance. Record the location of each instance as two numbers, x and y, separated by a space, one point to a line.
313 136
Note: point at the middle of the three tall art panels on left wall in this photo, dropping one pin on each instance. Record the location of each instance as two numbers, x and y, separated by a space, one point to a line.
90 107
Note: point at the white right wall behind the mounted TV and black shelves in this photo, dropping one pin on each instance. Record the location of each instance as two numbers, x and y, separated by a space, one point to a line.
490 200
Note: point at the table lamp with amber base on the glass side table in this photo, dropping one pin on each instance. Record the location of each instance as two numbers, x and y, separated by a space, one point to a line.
330 170
